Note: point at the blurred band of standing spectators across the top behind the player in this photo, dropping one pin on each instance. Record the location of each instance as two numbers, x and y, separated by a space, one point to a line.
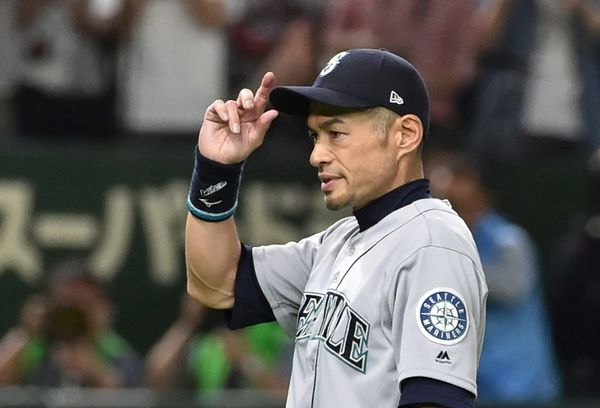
504 76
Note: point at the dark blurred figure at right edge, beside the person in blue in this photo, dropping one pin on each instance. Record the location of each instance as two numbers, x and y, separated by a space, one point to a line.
574 290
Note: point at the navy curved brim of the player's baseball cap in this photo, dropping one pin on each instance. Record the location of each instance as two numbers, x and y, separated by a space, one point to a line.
295 100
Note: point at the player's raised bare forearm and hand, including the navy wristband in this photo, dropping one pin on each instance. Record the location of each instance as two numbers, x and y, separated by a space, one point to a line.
230 132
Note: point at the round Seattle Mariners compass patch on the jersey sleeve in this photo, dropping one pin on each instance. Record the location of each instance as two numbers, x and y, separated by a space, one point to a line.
442 316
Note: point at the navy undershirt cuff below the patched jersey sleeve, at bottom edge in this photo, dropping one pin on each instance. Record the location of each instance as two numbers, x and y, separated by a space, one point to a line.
422 390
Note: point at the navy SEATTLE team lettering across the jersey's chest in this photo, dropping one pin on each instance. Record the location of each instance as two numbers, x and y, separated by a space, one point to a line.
330 319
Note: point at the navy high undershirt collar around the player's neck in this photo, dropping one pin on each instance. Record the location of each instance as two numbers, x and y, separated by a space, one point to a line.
374 212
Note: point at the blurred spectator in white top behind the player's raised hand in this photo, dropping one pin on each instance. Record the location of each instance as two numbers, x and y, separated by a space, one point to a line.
174 63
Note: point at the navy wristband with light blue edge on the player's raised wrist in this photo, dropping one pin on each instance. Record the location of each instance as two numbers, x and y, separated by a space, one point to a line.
214 189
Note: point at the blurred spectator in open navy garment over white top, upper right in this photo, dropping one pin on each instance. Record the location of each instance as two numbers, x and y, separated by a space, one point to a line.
544 57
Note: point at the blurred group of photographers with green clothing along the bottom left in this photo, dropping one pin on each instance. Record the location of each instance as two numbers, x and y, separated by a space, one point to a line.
65 337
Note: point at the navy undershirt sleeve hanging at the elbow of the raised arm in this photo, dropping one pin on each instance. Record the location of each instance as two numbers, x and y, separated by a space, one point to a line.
250 306
